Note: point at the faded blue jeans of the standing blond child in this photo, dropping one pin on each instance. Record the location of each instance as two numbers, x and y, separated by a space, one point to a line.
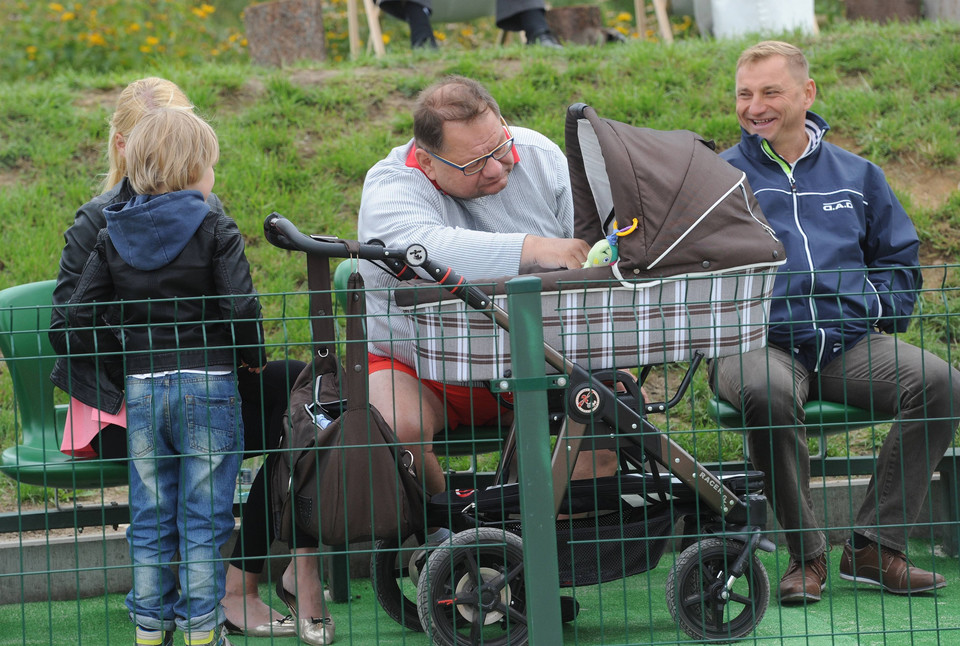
185 438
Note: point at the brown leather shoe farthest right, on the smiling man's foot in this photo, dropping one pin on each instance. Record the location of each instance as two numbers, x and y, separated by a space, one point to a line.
887 568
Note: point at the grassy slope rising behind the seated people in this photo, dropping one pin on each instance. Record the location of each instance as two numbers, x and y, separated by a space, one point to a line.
299 140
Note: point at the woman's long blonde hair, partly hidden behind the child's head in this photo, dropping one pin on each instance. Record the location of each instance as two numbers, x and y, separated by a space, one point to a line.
136 100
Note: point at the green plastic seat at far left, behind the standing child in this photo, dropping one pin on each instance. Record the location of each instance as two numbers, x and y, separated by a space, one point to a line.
29 358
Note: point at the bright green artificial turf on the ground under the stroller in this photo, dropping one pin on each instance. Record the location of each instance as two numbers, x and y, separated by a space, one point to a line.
628 611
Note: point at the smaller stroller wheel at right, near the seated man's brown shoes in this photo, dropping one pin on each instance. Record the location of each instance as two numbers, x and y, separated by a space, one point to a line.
698 601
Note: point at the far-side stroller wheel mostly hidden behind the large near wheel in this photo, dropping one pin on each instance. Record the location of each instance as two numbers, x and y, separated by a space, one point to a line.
395 591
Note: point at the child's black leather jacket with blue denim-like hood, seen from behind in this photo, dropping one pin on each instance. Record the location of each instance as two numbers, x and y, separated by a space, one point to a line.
153 250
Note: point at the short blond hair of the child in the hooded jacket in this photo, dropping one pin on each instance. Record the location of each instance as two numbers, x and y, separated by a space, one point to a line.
168 150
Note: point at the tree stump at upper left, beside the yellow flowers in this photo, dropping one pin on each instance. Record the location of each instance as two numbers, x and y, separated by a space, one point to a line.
284 31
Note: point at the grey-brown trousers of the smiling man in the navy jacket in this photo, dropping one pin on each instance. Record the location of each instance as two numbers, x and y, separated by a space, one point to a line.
890 377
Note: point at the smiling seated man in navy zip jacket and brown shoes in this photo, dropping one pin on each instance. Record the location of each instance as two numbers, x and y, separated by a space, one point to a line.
847 288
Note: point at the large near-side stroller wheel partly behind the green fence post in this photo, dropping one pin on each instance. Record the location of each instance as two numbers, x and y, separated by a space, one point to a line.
472 590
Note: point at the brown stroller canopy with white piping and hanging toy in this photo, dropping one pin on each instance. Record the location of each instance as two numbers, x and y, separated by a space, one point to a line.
694 212
